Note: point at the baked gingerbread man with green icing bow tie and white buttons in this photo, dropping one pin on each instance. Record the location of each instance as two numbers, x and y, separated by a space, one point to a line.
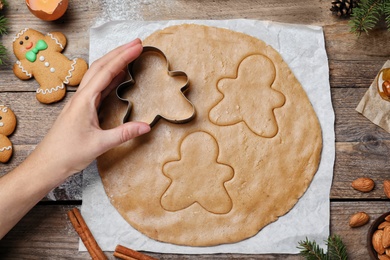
39 56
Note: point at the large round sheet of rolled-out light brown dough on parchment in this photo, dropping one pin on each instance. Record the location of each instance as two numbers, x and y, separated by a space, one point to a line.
245 160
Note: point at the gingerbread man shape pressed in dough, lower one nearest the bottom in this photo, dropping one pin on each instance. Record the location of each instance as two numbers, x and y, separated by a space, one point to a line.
198 177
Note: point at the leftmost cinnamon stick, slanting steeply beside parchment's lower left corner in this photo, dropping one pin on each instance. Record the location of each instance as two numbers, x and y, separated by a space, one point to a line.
85 234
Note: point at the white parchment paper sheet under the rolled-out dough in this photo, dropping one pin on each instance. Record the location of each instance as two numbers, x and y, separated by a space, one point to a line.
303 48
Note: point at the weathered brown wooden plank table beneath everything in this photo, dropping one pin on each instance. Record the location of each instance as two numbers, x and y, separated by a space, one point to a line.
362 149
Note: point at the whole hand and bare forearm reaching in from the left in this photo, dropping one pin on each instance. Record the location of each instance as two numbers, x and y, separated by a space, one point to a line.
73 142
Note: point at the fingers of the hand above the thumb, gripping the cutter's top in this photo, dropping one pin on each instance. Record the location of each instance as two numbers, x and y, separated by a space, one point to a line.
104 70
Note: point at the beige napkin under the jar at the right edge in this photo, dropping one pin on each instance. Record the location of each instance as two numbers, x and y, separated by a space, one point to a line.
373 107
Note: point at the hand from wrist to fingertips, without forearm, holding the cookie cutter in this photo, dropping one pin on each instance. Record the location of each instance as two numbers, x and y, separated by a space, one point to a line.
76 139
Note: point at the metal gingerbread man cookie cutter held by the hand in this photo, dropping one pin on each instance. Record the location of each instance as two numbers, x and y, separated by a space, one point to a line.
123 86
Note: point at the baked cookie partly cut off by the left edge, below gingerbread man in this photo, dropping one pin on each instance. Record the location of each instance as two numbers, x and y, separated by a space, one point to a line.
7 127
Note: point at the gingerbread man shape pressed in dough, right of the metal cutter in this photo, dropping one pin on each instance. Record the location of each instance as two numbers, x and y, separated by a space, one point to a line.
249 97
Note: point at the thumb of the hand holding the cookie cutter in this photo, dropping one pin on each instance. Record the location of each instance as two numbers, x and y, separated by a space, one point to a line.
124 133
